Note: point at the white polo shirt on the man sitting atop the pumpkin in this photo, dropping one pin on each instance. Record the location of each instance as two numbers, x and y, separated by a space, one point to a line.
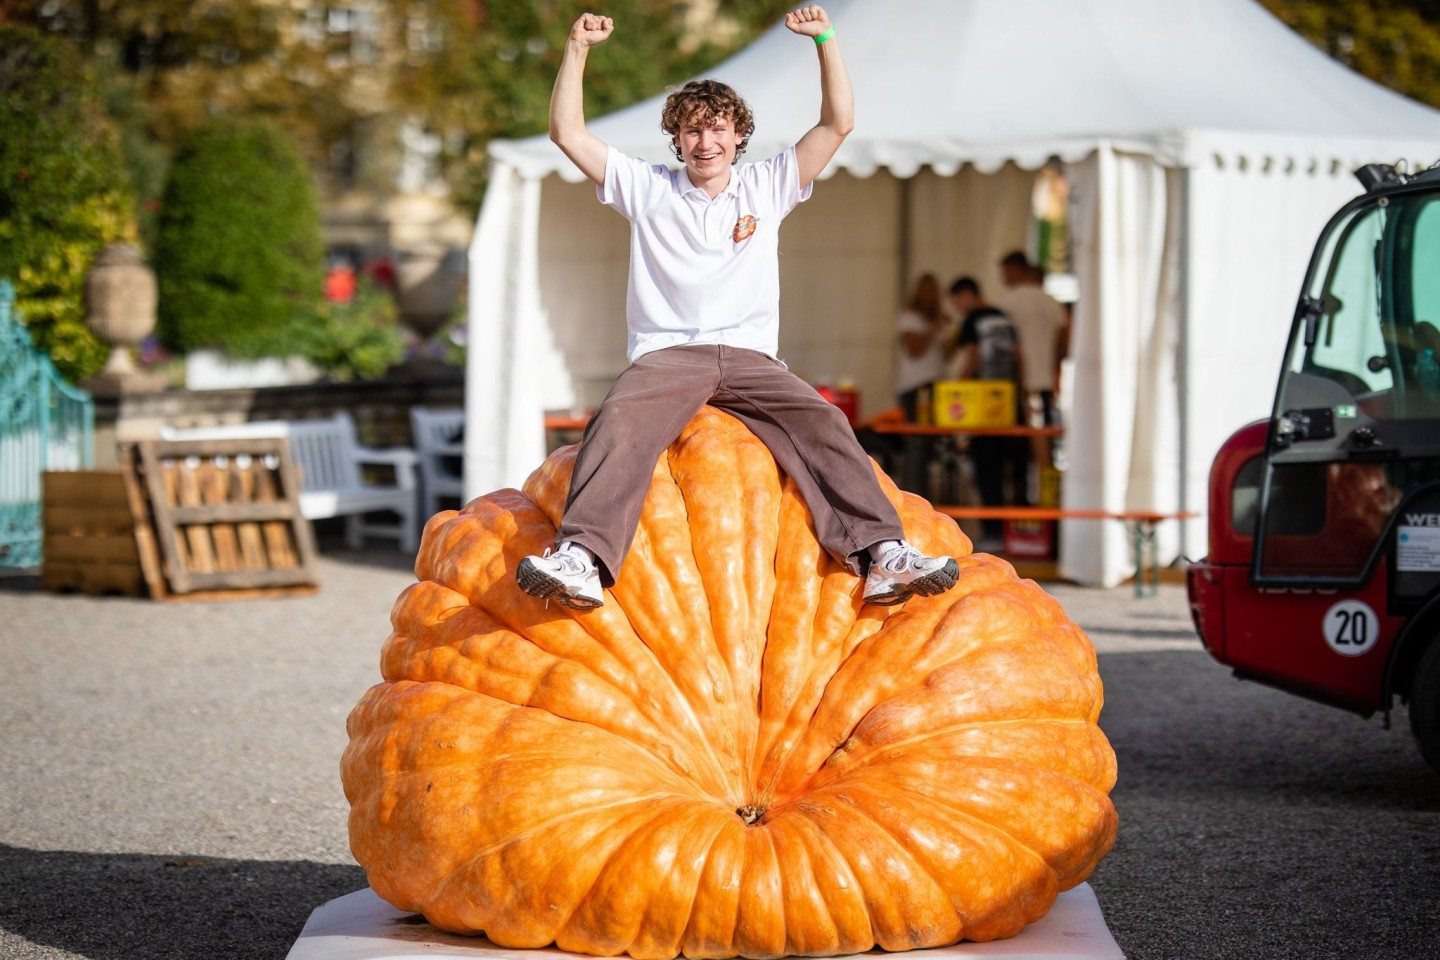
703 271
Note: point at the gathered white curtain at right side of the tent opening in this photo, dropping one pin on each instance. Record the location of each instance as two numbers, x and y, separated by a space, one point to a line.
1122 450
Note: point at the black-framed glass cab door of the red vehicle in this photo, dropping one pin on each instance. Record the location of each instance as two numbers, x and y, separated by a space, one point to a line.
1357 421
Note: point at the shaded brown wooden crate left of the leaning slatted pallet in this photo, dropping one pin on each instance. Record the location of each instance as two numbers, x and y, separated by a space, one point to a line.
90 535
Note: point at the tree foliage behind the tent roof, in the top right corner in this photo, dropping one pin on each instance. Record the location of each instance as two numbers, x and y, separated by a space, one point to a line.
1392 42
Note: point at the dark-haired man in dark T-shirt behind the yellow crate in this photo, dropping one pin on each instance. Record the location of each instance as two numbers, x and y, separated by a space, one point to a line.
989 349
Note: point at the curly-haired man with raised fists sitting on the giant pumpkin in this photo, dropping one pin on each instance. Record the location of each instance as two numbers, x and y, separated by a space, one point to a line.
703 317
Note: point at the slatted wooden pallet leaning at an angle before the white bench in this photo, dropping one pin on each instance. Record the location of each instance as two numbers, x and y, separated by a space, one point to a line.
221 517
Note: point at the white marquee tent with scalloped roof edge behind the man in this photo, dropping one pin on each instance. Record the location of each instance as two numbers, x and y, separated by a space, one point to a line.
1205 146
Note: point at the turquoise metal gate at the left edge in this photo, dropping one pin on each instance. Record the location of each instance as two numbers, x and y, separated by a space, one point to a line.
45 425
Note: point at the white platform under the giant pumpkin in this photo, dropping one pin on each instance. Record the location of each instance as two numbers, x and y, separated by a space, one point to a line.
361 926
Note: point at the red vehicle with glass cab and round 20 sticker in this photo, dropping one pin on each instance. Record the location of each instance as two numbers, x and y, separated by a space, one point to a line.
1324 568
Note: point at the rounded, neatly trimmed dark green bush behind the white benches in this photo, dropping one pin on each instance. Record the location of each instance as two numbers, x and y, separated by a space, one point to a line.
240 257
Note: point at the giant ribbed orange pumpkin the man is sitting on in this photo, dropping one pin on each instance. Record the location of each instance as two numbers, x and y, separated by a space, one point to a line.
734 756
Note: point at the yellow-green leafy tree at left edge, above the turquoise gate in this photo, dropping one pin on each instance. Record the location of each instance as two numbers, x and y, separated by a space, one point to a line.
64 195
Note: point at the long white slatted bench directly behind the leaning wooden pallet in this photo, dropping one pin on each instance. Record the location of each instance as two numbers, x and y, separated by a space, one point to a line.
332 481
